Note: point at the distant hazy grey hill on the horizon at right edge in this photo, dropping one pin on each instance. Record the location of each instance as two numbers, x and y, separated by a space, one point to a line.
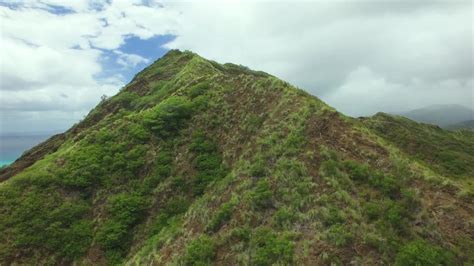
442 115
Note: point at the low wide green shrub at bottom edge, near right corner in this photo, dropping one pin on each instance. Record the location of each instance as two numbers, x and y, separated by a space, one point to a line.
419 252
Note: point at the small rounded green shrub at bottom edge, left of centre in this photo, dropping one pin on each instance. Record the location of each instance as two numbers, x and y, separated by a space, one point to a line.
200 251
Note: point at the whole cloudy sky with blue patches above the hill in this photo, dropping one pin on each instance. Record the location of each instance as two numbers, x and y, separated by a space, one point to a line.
57 58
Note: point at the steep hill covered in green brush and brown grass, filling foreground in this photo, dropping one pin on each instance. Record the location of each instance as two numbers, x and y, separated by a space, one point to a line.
197 163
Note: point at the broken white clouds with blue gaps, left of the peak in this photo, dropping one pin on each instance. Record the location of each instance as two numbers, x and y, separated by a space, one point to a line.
52 54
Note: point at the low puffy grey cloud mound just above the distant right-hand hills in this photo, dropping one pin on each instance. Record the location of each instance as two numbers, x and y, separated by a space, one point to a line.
365 91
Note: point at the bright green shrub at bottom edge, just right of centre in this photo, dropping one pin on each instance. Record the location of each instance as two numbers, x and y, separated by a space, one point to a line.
270 248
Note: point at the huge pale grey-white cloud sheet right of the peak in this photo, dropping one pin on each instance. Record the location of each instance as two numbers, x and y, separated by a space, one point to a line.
318 45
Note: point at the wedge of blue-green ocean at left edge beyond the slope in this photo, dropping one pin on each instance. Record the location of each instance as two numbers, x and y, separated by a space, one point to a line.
12 147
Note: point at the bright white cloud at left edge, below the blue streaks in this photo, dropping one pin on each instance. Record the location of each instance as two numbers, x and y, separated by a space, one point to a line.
30 66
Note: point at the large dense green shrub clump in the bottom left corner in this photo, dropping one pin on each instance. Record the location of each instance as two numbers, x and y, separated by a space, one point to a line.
35 222
